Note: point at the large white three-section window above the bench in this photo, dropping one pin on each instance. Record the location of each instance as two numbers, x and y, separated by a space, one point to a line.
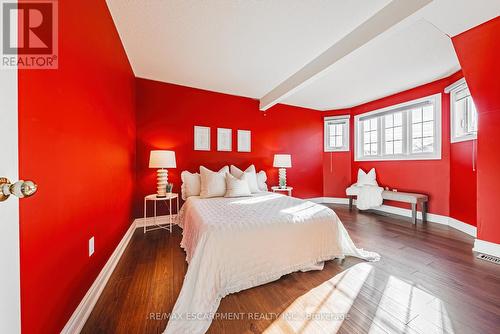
407 131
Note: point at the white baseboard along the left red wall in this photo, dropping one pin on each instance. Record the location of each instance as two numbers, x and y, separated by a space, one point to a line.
82 312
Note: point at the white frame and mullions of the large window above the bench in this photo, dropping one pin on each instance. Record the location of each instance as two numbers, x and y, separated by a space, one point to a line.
407 133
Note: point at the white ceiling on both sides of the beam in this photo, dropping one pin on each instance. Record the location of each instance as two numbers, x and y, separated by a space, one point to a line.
248 47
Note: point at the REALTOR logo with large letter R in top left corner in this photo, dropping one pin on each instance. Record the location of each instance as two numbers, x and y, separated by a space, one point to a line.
29 34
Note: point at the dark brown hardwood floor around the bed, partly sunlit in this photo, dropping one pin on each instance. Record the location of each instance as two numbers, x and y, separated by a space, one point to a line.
428 281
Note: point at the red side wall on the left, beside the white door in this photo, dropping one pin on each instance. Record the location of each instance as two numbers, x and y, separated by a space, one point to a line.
77 141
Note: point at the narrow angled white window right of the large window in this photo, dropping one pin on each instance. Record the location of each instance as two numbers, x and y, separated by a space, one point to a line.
463 112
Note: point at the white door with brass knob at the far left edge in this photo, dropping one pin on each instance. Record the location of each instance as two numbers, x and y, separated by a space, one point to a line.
10 306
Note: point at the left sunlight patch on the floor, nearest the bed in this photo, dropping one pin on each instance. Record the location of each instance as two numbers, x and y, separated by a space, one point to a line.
323 309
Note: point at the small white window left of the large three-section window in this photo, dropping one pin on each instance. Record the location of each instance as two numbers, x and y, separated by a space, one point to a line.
337 133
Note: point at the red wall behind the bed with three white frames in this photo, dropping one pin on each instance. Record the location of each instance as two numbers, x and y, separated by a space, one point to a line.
166 115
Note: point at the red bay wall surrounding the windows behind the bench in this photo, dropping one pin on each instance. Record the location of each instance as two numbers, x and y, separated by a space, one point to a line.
449 182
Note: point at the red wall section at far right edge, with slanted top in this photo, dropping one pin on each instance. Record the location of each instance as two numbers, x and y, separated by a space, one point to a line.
479 52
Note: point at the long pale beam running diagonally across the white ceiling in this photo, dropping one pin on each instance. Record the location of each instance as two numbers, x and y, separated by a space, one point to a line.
389 16
